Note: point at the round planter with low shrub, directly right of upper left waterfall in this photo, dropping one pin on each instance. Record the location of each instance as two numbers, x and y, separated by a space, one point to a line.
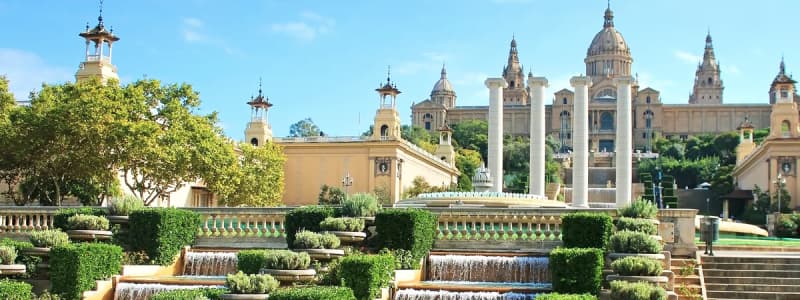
287 266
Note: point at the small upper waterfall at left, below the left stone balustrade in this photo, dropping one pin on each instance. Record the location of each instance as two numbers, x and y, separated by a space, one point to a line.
209 263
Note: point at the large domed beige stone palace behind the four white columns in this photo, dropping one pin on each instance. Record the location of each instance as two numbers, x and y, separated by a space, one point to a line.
608 56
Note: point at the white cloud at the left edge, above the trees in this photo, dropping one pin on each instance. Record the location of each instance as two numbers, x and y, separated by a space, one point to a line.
26 71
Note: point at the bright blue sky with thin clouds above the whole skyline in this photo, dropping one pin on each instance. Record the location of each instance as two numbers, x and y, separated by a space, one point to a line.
323 59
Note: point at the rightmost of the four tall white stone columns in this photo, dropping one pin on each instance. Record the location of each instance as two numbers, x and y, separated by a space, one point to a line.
624 146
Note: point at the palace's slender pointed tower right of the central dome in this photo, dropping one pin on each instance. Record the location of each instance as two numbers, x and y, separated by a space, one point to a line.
707 82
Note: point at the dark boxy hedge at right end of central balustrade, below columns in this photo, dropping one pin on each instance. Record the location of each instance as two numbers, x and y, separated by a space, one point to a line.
586 230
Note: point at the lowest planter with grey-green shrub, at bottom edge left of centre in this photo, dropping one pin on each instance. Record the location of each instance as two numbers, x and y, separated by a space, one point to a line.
249 287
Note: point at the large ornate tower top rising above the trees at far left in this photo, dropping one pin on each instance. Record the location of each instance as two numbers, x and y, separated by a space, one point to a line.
98 63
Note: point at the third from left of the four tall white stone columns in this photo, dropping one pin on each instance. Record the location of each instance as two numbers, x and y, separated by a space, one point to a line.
580 141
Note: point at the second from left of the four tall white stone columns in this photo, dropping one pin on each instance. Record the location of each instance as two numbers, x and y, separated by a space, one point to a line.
537 160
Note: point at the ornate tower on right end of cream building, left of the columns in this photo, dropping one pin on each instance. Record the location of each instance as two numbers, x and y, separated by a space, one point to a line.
387 119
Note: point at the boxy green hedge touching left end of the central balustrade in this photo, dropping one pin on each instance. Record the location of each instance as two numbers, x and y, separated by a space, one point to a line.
410 229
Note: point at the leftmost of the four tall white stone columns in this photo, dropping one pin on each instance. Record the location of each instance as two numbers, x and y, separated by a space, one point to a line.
495 158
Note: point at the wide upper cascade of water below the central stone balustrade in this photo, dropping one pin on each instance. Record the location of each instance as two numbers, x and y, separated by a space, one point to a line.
475 268
